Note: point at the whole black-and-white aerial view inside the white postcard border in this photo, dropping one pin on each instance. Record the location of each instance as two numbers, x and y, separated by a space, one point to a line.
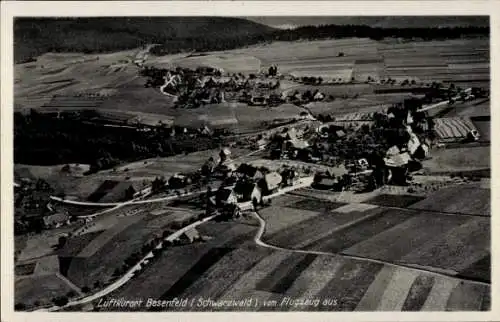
211 163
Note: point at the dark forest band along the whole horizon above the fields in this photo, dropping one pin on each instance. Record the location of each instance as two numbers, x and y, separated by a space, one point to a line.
34 37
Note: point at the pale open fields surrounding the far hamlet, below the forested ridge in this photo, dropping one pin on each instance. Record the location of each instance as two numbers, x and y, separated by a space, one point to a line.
115 78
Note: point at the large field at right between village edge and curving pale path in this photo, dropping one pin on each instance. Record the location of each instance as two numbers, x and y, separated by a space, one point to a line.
418 232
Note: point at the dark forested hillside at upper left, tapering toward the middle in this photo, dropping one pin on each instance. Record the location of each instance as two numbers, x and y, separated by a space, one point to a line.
35 36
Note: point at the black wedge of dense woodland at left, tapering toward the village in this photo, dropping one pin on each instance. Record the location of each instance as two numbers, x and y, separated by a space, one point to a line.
45 140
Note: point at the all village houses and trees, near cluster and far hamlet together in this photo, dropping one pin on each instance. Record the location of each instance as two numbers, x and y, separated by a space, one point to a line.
339 154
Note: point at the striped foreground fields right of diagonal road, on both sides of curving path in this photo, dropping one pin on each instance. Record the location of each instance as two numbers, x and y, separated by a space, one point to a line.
348 257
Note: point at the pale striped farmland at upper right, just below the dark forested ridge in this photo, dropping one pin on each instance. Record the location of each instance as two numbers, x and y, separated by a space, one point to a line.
447 61
